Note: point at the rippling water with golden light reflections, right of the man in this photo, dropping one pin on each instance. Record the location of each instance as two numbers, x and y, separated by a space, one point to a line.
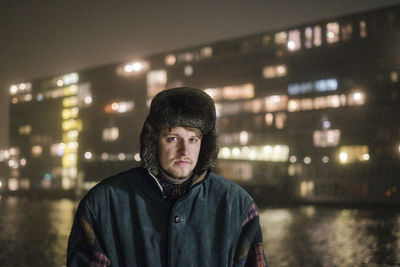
310 236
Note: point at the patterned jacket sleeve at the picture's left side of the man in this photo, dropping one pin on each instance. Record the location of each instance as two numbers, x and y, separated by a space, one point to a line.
83 246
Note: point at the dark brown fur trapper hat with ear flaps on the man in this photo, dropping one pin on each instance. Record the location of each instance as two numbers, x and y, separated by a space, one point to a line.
184 107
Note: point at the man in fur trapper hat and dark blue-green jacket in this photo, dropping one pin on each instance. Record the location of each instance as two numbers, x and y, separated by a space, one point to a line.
171 211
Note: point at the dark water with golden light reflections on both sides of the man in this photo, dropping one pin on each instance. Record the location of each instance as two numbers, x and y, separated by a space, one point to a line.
35 233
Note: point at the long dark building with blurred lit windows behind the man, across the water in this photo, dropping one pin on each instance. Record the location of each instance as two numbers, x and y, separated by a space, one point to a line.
312 111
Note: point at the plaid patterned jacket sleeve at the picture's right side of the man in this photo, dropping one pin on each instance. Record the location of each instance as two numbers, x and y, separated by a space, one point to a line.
250 252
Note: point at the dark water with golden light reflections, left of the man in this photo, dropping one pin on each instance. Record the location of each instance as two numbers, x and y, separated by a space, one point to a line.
34 232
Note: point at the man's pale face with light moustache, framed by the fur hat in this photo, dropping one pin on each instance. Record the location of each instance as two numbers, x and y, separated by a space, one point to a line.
178 150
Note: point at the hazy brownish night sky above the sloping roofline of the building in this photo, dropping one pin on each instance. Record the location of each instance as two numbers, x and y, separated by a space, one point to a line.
41 38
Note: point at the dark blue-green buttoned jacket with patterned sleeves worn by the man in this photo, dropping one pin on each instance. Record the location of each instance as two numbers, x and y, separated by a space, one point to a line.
126 221
